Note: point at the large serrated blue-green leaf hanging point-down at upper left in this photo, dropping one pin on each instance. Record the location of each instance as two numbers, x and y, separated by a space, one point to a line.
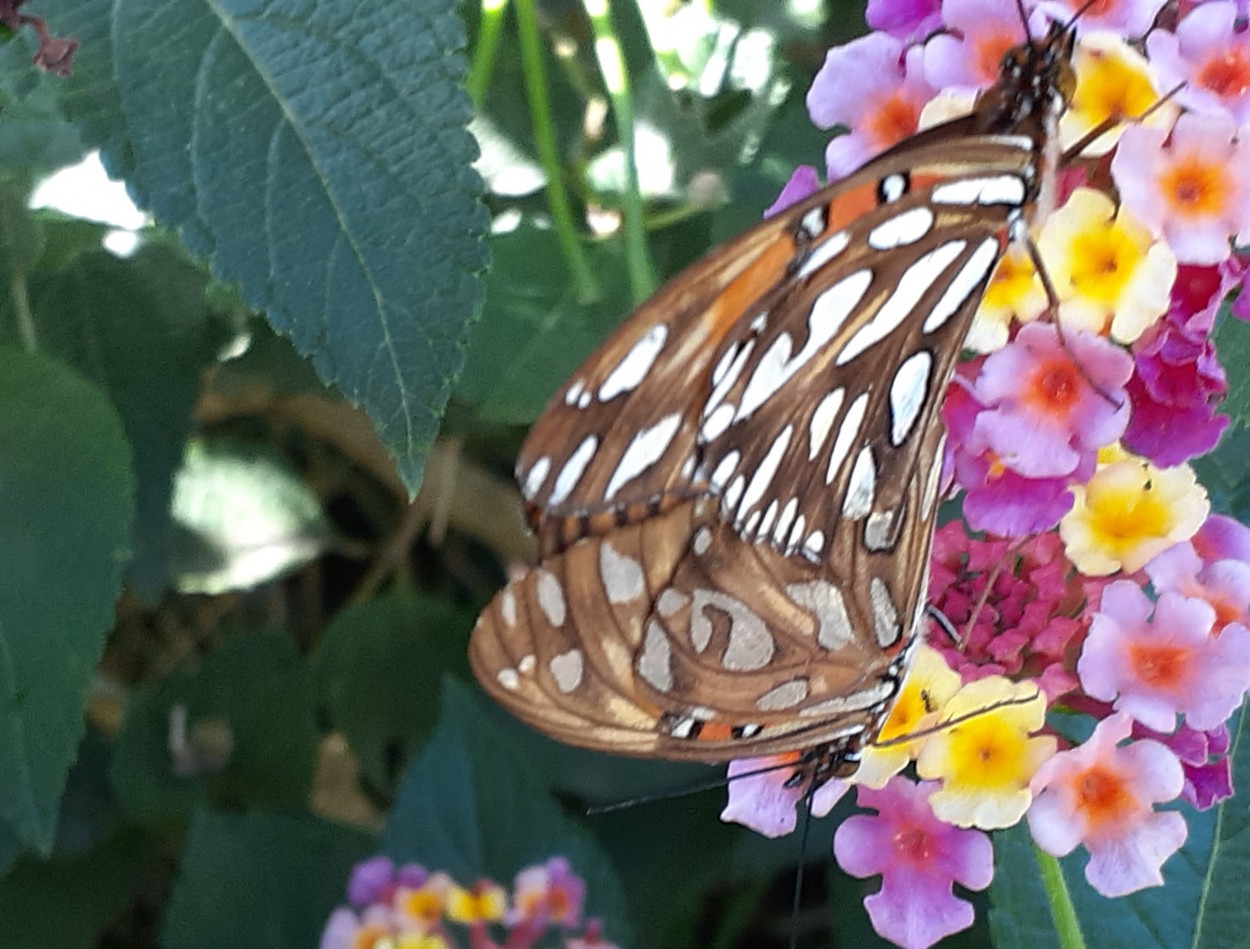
317 158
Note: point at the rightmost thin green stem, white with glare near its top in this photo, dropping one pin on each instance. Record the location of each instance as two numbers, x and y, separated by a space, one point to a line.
612 68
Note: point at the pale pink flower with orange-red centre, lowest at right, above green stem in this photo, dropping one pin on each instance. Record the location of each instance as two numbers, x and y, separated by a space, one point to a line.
1102 796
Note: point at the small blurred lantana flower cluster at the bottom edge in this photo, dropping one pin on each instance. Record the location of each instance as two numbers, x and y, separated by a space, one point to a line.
408 907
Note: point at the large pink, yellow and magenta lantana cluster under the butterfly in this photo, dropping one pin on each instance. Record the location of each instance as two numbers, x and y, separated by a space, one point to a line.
1088 575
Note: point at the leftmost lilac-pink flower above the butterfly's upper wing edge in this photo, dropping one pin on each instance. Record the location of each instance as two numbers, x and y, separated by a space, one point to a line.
874 87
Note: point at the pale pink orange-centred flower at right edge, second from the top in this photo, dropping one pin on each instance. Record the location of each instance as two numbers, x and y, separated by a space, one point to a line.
1194 191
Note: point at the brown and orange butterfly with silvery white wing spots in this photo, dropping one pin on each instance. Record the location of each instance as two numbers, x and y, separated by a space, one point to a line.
734 497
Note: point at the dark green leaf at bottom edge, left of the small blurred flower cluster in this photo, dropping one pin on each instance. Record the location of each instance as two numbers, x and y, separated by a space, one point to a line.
261 881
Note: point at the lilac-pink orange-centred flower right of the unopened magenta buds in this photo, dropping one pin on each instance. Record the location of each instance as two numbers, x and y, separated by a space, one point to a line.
1157 667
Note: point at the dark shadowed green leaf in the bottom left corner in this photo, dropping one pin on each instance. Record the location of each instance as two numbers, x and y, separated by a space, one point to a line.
67 902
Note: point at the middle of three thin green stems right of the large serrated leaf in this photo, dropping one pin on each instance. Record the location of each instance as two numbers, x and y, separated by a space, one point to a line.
544 141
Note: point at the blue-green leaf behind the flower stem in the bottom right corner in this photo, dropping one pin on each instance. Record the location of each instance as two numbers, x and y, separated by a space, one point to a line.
1202 903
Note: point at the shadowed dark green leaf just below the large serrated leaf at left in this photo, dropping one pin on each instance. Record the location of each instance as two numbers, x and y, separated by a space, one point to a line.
141 329
